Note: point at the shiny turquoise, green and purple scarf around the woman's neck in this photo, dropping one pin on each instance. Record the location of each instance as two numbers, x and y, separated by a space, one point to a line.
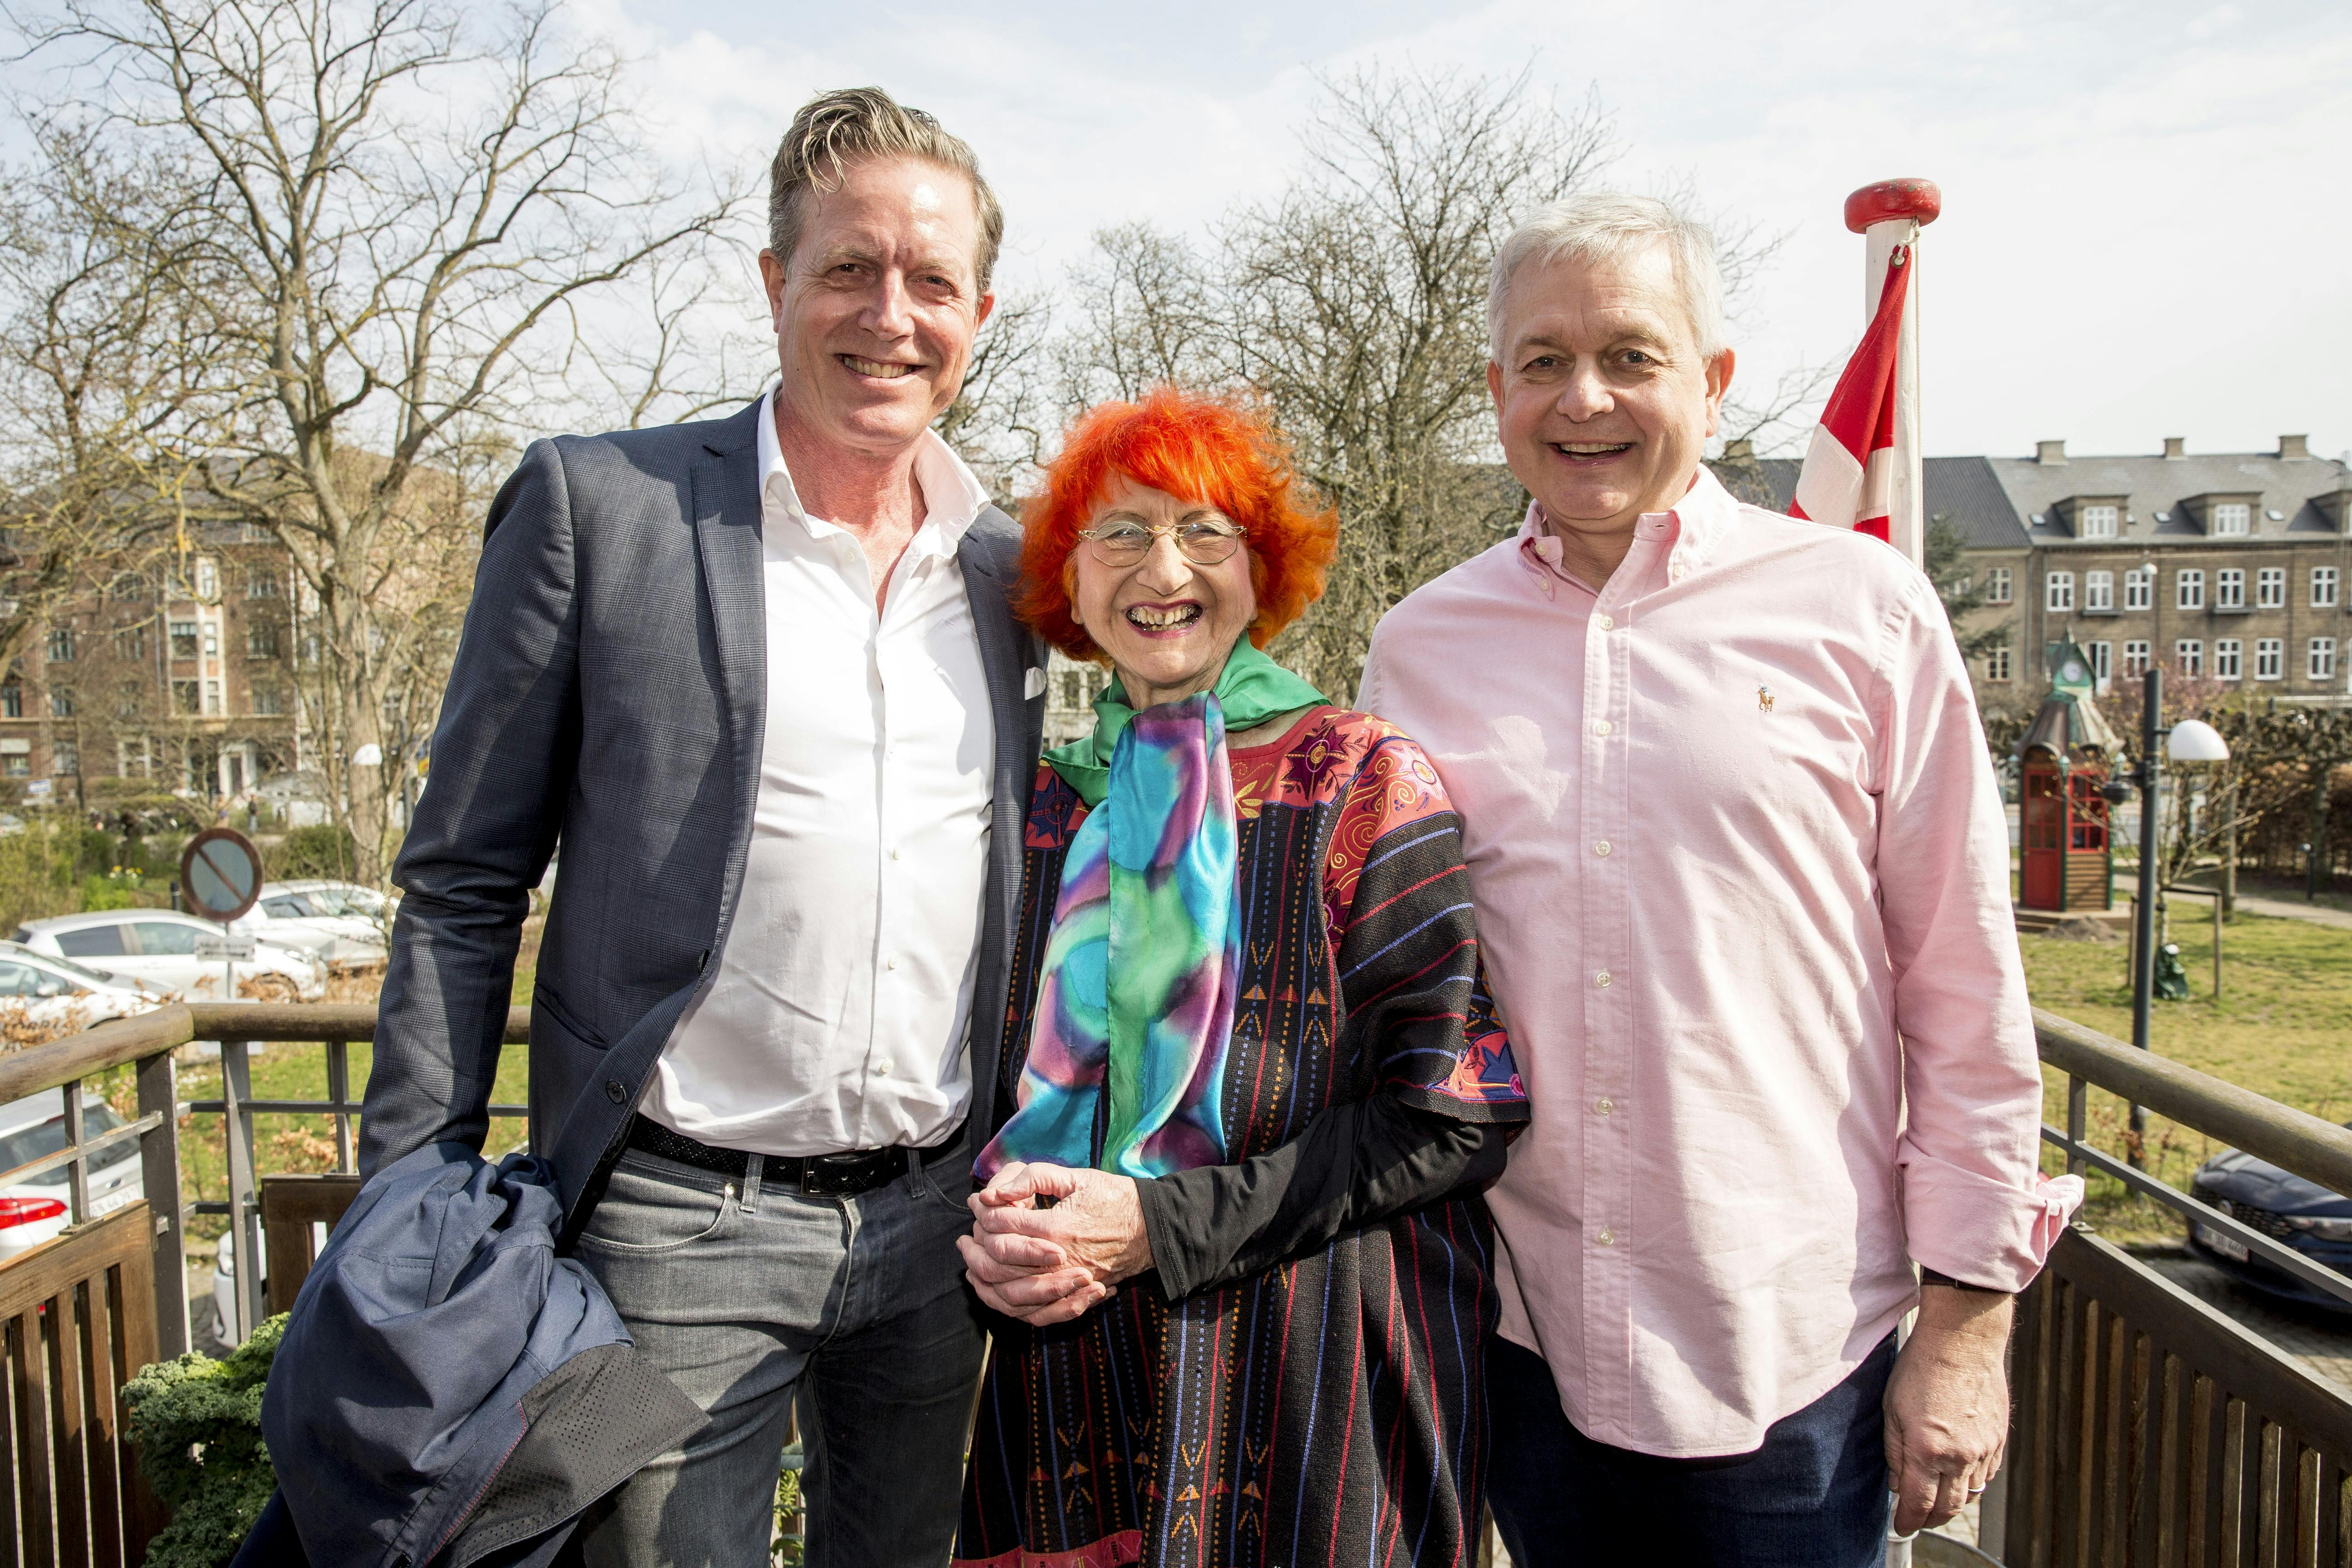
1135 996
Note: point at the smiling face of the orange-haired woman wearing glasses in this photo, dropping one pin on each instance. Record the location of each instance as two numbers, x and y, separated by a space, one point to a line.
1168 624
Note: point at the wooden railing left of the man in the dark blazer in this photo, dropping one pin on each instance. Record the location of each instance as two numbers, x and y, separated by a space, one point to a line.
86 1311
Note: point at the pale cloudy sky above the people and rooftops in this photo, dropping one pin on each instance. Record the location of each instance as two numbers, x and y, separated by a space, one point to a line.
2144 222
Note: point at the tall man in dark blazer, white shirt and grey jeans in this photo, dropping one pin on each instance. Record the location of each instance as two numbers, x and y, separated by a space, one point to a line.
761 681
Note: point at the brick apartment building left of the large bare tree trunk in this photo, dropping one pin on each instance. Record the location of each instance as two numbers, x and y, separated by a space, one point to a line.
178 674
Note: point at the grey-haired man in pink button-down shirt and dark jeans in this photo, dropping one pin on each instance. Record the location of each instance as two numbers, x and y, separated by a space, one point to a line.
1744 892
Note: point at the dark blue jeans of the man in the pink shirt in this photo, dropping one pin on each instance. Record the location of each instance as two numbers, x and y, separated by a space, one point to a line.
1815 1496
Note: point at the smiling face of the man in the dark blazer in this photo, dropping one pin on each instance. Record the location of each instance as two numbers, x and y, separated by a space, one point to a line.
878 304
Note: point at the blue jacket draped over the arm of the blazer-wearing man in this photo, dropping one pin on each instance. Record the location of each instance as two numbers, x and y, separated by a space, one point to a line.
450 1391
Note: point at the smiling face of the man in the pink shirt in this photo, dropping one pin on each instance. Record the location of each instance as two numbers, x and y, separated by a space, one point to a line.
1603 398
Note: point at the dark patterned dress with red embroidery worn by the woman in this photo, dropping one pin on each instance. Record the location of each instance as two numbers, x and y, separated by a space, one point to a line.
1328 1409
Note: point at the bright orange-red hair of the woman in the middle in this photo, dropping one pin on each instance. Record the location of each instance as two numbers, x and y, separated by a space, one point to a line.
1194 448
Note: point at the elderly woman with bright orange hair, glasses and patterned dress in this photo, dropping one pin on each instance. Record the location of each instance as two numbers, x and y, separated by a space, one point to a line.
1234 1217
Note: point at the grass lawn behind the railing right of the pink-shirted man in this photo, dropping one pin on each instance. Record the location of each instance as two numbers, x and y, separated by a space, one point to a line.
2280 1028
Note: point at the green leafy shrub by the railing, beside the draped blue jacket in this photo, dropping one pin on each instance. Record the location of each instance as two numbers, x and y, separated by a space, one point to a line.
199 1433
